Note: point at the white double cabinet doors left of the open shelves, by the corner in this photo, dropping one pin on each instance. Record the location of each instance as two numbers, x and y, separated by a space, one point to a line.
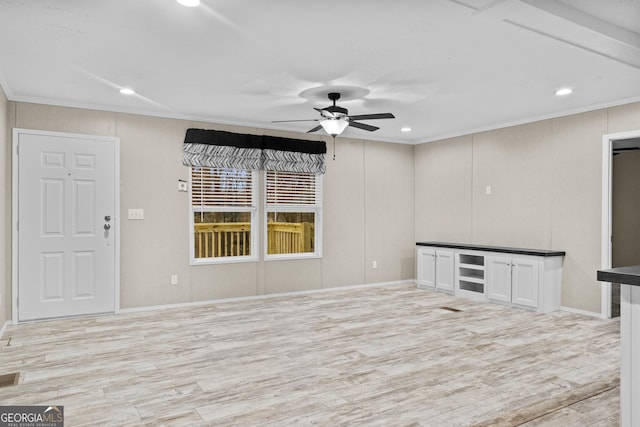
435 269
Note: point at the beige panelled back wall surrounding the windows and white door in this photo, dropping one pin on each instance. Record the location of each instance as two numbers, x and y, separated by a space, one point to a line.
368 212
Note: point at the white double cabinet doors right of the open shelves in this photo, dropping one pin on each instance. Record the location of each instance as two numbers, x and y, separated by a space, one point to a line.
514 280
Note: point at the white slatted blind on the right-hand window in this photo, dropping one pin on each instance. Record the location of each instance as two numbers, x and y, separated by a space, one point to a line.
292 188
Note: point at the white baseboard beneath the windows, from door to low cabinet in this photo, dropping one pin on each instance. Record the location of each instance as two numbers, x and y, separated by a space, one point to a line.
259 297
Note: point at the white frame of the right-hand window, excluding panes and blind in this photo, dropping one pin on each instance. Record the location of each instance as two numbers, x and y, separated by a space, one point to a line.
317 209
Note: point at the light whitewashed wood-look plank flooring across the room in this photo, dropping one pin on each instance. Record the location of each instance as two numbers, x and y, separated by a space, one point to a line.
376 356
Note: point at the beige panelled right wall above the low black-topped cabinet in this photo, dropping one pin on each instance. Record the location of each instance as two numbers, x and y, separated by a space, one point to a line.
545 180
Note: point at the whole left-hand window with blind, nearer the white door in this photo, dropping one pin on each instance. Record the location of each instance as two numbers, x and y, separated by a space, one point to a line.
223 214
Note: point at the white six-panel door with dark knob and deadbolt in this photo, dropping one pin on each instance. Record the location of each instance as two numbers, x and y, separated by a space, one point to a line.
66 224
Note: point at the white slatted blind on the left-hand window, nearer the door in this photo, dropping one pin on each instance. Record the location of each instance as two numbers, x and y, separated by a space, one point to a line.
219 187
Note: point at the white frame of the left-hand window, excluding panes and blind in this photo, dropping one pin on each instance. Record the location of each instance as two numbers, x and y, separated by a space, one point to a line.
253 209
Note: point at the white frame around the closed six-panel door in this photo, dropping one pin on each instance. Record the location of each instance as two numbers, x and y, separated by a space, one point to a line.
15 186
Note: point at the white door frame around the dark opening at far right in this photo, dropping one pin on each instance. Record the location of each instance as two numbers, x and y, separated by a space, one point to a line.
607 222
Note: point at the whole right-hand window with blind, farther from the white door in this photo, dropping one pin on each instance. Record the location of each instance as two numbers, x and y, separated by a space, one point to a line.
294 214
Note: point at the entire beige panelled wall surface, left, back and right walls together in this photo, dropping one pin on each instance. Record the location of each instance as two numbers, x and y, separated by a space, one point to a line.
379 199
